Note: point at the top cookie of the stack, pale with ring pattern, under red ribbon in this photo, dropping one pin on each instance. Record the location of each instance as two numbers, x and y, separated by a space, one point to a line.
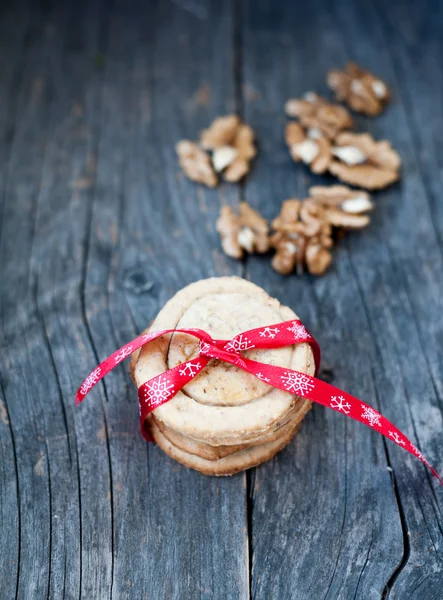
224 404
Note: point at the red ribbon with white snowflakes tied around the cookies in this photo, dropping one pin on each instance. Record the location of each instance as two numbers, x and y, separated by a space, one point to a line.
163 387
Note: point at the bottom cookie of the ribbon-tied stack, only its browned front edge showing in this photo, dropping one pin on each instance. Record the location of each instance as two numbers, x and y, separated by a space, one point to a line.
228 465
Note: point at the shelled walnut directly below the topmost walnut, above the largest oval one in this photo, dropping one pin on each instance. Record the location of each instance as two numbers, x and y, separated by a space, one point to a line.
319 117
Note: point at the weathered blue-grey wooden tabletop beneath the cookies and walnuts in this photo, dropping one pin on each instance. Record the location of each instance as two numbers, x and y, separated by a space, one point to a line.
99 229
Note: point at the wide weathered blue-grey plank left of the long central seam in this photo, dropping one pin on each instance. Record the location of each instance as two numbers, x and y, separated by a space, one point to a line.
74 484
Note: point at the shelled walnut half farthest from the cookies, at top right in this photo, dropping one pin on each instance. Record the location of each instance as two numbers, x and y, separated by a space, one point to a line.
364 92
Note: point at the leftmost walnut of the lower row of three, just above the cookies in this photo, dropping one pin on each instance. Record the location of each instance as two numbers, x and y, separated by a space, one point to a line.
247 231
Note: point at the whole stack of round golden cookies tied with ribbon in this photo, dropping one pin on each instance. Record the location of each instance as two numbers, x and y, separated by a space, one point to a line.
225 420
